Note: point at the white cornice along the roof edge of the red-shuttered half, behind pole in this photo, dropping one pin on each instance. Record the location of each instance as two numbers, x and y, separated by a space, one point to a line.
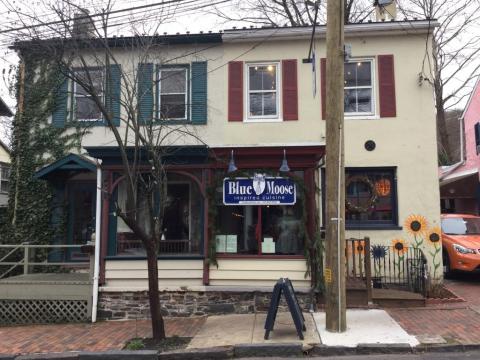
406 27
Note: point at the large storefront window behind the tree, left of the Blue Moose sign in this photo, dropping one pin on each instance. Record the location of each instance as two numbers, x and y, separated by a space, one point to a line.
182 223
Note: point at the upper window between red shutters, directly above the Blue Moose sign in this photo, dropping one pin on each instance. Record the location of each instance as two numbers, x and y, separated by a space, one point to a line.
262 91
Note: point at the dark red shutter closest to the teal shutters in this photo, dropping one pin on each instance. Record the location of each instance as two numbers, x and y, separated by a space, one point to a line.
235 91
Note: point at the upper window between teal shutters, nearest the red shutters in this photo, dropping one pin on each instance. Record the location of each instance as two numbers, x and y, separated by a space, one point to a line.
173 93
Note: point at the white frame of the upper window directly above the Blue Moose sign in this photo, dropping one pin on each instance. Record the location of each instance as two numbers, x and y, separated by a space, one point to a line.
263 118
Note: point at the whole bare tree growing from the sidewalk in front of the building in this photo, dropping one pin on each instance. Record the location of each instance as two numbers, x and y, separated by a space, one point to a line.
80 48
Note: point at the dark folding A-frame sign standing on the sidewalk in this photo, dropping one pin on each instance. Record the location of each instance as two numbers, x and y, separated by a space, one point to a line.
284 285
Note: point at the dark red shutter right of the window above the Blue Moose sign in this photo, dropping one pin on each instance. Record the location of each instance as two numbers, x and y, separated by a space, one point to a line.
290 90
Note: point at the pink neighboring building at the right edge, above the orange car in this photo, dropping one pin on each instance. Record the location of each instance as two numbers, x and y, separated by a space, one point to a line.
460 183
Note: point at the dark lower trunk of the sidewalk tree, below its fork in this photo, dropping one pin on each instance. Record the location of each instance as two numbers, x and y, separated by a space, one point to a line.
158 326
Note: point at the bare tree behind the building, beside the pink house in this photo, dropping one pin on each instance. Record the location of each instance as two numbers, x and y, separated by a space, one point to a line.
455 59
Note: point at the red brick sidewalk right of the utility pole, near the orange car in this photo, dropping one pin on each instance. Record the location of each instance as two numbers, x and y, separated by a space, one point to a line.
458 322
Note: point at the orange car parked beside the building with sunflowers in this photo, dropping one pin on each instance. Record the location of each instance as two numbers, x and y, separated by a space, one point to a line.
461 242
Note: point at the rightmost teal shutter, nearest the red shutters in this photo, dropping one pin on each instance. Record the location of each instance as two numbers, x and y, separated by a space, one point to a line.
199 92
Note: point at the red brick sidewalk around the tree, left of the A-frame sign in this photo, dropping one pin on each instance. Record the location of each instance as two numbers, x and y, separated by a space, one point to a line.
102 336
